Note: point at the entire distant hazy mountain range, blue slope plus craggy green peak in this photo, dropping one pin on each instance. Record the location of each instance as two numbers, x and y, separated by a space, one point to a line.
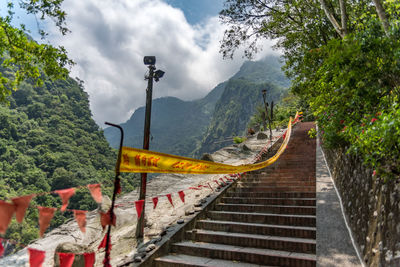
191 127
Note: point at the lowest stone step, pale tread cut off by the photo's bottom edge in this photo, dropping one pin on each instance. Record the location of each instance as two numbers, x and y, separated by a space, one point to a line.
182 260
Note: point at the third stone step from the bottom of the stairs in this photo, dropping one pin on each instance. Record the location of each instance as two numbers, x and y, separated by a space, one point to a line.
291 244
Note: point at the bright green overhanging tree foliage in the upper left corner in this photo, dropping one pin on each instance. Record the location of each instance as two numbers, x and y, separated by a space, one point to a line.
25 58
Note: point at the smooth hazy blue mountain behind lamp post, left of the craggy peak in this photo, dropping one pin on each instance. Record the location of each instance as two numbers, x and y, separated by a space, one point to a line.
177 126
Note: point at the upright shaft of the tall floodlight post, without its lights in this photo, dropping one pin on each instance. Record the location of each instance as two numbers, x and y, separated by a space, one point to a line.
146 144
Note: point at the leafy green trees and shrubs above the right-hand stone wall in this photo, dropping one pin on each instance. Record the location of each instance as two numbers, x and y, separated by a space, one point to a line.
343 57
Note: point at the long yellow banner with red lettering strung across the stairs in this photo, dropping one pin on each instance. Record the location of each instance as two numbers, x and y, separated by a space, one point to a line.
144 161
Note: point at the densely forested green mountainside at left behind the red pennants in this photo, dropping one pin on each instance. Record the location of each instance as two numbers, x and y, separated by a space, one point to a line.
49 141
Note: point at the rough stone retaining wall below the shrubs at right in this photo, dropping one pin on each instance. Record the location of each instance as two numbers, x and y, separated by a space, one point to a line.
372 207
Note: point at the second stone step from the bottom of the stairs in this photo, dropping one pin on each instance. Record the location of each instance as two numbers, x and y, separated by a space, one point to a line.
250 255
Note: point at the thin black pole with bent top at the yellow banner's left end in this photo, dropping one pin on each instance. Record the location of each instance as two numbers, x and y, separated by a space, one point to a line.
116 183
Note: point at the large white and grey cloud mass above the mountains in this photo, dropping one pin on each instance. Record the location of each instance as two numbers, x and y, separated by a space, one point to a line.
109 39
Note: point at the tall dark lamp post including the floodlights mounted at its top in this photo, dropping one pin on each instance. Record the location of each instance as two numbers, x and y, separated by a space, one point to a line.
156 75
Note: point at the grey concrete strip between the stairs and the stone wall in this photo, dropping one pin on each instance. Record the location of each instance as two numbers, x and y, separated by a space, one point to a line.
334 245
